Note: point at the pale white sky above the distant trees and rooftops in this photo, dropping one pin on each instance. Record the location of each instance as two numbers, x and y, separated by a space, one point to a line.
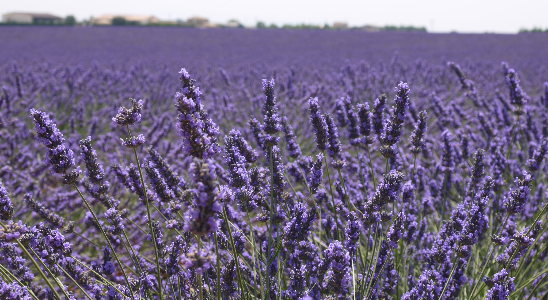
502 16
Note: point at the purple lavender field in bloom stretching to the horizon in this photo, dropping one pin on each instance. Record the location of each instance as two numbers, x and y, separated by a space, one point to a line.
174 163
